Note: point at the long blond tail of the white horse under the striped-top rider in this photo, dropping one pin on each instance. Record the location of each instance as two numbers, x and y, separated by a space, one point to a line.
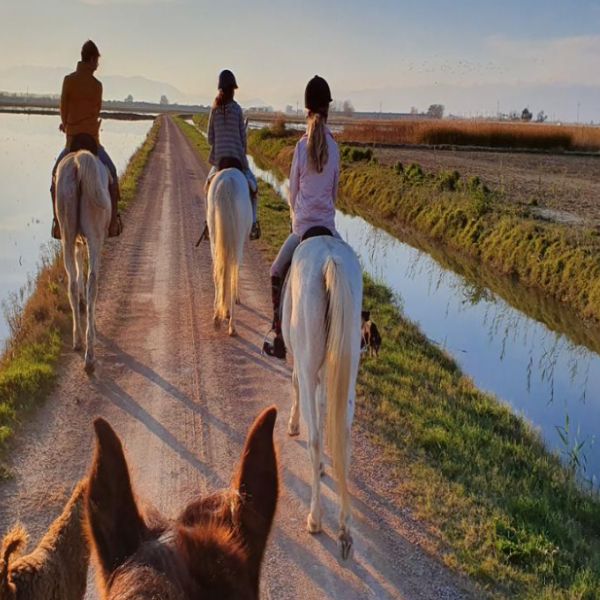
227 237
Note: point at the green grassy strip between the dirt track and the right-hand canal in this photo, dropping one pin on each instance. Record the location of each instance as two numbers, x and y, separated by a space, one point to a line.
501 507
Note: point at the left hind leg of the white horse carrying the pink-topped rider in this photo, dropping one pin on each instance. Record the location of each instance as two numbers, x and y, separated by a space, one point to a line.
307 392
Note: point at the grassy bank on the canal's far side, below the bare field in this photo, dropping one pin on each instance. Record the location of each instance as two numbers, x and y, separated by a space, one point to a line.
562 261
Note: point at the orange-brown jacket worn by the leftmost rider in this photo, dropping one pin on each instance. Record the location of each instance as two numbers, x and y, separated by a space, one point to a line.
80 103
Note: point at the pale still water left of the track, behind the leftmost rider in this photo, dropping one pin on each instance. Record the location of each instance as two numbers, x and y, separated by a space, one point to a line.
29 145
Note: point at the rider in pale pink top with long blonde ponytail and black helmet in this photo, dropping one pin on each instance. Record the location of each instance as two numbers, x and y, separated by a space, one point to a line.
314 180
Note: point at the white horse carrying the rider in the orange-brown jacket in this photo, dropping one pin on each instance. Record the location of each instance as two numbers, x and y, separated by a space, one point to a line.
83 209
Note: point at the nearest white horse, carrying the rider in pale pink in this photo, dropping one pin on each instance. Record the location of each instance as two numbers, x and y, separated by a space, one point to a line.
321 328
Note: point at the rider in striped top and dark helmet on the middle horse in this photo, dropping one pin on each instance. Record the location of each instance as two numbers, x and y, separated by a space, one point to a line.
227 137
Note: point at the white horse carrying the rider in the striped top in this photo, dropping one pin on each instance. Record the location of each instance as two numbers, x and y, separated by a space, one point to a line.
229 218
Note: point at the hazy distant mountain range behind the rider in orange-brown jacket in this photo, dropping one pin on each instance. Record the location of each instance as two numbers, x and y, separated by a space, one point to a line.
48 80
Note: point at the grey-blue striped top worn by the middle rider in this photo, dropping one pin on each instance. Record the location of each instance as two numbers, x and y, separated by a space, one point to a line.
227 133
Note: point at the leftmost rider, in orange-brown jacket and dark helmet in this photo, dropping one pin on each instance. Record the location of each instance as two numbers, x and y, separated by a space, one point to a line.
80 103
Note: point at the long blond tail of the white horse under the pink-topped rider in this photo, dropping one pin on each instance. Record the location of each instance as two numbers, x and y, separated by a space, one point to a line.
338 370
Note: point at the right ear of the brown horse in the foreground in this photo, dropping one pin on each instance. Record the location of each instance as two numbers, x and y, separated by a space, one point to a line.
258 484
